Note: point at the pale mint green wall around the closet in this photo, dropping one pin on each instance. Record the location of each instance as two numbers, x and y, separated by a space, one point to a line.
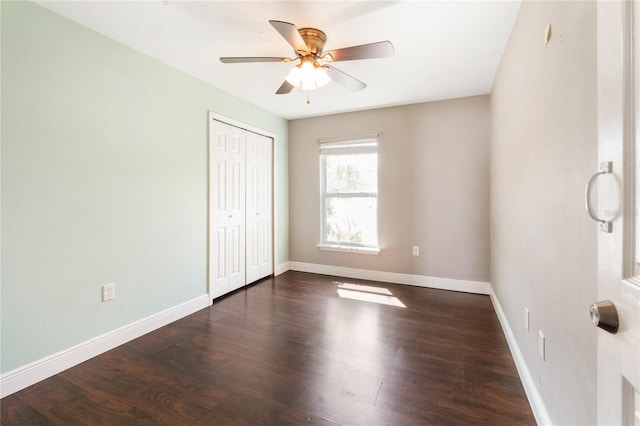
104 179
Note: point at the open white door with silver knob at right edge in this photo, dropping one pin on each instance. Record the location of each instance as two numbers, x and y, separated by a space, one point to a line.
618 200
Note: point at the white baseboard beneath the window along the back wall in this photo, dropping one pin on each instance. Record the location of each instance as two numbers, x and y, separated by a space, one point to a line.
394 277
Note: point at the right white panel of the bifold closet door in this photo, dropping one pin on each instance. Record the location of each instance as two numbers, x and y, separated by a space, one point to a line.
259 198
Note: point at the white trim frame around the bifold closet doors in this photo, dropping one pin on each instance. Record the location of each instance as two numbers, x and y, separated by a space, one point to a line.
210 223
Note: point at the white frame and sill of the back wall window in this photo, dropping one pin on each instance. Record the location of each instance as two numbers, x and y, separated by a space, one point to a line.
347 146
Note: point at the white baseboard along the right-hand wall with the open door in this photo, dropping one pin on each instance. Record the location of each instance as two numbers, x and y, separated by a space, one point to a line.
535 400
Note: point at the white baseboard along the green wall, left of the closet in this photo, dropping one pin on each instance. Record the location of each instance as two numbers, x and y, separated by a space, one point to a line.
34 372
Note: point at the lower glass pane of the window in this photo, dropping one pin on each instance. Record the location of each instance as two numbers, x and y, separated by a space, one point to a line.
352 220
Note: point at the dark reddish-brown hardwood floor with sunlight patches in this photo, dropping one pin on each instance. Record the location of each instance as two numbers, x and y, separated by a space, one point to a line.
290 351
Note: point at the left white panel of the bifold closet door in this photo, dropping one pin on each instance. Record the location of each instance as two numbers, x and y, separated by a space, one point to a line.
227 208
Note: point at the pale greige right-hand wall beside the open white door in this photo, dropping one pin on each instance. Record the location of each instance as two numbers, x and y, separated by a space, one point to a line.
543 246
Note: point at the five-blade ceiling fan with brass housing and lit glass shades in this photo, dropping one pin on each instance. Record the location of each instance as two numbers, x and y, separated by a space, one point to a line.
313 71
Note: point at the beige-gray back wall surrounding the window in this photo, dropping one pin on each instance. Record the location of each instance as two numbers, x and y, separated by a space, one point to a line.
433 183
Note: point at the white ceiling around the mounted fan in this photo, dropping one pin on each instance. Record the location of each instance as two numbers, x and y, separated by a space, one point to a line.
443 49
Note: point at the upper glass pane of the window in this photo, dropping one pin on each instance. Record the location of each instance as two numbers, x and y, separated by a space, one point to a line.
352 173
